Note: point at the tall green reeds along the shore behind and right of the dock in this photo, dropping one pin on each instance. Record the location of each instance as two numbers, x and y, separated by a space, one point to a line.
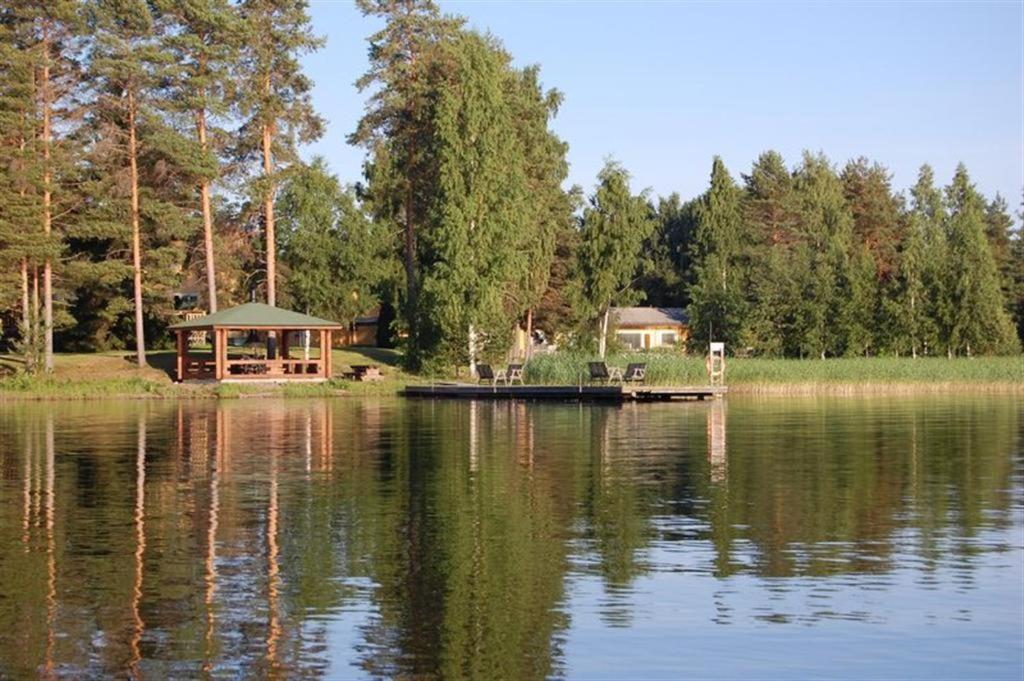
806 376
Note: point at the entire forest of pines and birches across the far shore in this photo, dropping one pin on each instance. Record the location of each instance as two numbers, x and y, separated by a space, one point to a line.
151 148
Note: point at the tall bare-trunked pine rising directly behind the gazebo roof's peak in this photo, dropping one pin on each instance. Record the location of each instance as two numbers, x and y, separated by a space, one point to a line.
276 104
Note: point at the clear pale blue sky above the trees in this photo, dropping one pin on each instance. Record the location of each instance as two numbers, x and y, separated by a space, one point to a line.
664 87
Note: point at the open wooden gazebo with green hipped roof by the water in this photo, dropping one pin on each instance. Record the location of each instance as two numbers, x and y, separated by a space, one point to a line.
255 343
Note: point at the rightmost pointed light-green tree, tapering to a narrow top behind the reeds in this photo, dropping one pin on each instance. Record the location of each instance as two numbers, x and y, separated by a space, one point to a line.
980 323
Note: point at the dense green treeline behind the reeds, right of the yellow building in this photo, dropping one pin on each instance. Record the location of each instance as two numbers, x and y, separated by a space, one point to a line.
815 263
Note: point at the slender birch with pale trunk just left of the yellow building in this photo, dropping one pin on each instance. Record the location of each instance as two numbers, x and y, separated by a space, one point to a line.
614 228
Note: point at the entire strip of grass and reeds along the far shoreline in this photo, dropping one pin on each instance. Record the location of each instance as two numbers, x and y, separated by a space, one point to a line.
115 375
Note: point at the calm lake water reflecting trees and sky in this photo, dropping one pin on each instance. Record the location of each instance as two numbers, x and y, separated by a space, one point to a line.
773 538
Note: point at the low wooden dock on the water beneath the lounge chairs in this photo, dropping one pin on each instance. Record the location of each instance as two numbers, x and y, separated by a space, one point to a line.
614 394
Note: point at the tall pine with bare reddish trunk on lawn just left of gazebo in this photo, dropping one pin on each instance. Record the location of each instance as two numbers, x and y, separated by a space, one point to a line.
134 152
